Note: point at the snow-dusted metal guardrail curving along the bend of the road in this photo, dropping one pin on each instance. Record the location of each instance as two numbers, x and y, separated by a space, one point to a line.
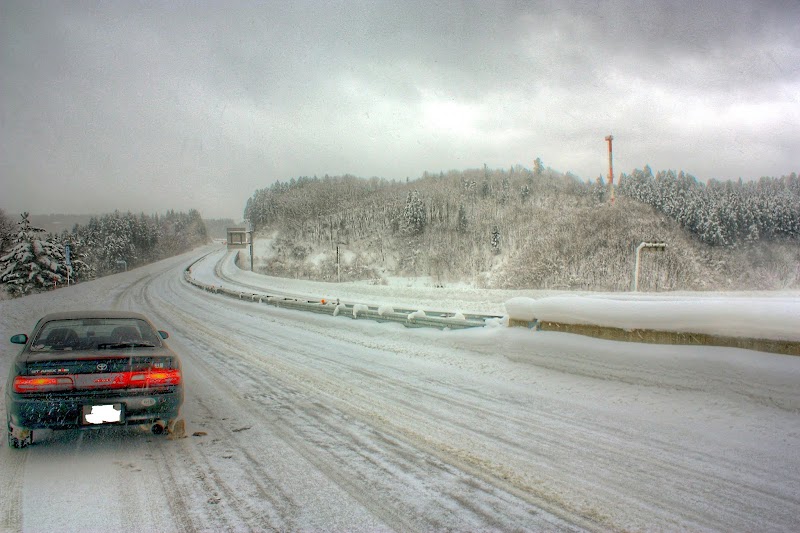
412 318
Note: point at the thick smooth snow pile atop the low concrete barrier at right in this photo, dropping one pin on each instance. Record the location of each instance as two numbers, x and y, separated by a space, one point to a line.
775 318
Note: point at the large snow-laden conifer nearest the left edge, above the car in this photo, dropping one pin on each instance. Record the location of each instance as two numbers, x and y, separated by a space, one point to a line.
33 262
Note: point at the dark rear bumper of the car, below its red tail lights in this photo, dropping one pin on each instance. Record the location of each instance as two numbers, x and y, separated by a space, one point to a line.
66 411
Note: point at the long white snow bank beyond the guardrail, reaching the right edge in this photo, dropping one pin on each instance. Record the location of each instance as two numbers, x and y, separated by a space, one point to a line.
764 315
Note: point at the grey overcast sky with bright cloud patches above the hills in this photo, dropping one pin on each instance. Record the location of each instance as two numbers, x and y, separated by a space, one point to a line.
149 106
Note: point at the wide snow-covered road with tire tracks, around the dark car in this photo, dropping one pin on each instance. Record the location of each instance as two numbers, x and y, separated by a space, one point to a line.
310 422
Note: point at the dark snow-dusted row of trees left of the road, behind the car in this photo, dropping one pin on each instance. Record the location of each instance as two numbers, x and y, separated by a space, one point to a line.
33 260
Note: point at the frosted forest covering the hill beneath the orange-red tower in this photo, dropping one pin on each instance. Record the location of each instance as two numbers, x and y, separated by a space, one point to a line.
534 228
